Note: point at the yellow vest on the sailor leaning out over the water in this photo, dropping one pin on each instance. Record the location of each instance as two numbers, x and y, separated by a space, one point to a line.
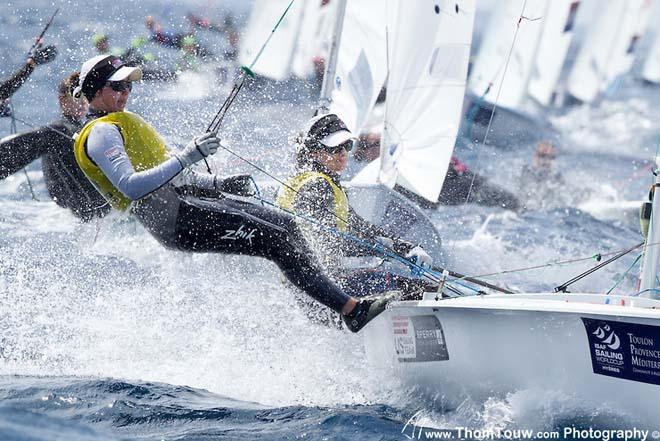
144 147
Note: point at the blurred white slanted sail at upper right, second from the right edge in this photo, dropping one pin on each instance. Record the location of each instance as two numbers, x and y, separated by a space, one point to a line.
609 48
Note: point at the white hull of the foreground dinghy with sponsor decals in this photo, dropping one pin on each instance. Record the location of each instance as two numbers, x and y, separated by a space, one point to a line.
480 347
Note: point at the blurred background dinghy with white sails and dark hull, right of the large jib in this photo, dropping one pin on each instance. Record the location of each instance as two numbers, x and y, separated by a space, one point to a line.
517 68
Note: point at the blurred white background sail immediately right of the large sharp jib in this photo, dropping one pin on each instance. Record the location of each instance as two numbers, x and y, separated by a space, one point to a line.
492 78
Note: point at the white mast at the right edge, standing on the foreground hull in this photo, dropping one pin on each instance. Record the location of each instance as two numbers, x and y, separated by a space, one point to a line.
647 277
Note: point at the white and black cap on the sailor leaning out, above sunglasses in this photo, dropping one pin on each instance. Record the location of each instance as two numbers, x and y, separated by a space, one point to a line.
100 69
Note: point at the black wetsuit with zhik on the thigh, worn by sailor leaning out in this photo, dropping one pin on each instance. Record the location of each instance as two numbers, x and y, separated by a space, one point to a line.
178 217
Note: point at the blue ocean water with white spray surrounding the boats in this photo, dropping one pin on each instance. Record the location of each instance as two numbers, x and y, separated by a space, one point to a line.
106 335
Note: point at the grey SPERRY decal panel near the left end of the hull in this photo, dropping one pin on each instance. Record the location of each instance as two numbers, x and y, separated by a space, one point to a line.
419 338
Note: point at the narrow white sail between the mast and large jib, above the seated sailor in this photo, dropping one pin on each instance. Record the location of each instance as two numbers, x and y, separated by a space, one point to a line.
361 62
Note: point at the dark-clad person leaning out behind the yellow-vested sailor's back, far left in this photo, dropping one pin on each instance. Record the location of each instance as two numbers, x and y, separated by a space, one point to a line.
53 143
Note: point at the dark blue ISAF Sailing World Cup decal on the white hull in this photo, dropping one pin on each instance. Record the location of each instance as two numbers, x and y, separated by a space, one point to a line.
624 350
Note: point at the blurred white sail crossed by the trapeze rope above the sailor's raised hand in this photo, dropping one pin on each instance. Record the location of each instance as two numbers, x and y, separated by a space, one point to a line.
276 61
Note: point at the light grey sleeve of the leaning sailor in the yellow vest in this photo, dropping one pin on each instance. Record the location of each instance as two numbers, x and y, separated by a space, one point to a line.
105 146
